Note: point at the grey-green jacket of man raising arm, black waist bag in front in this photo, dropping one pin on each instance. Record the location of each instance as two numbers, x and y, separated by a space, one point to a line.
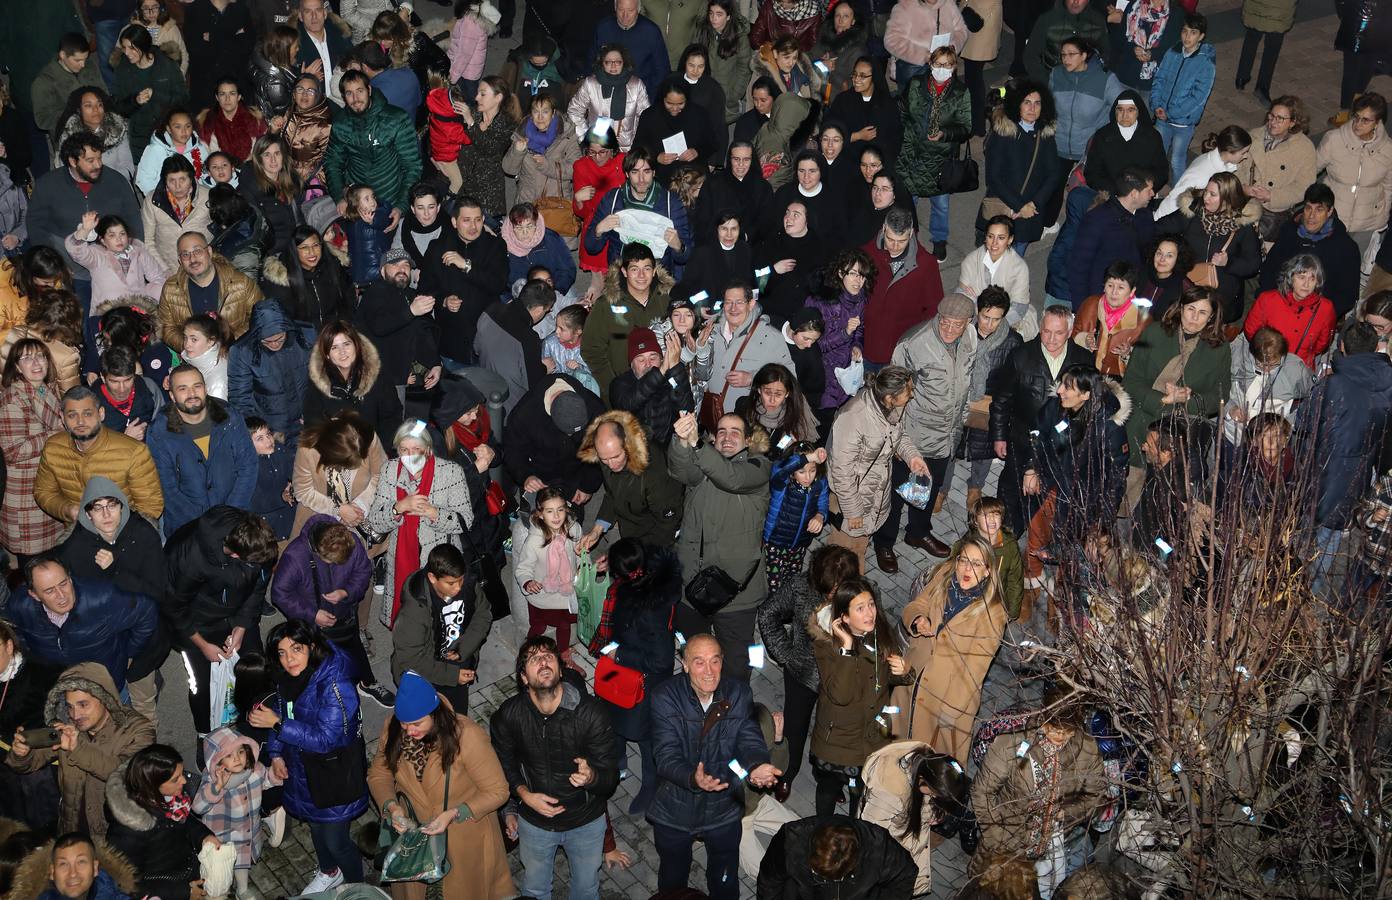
727 501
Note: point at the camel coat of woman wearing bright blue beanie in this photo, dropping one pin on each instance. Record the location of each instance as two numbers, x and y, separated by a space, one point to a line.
478 859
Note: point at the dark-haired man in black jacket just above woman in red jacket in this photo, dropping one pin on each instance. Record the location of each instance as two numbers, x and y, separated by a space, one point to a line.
1319 232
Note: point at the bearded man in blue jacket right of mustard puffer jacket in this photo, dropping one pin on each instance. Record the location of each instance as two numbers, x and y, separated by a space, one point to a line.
203 451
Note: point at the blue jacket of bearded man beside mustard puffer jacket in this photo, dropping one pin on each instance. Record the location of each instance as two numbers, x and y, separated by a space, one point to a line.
194 483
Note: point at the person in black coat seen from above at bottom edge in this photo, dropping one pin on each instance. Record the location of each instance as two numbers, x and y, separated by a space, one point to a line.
802 860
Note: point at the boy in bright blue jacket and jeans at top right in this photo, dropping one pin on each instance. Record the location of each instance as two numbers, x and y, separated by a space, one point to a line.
1181 91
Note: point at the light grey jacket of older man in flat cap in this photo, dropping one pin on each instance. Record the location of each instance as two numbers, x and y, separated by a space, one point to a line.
942 382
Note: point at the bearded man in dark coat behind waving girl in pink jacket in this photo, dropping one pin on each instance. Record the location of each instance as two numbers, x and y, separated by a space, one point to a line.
66 194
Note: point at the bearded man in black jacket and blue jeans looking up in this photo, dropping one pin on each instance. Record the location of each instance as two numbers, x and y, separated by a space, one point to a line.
557 752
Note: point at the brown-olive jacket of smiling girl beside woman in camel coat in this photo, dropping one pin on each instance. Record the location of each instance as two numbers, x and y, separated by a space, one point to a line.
853 693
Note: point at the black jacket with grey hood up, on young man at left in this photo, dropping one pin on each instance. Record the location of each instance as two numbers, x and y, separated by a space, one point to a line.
137 543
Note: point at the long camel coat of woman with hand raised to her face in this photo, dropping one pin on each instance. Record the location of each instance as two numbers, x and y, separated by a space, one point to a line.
950 667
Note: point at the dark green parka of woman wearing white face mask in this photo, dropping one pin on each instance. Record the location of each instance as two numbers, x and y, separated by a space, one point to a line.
925 112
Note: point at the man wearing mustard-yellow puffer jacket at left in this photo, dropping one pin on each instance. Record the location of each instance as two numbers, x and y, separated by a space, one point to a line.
86 449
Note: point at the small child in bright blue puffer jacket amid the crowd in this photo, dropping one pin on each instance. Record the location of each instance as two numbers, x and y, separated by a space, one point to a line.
798 497
